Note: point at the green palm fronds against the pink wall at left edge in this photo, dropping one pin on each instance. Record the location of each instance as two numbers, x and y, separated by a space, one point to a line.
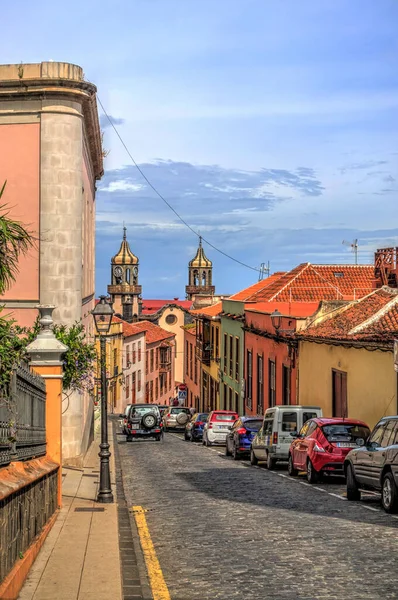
14 241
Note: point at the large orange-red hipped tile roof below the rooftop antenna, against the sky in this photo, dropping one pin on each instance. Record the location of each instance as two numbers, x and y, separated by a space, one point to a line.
309 283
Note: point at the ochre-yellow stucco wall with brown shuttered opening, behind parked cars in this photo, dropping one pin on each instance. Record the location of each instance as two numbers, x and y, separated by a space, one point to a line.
371 379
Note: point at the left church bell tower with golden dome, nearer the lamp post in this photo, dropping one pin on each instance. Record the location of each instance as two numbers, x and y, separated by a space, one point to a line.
124 290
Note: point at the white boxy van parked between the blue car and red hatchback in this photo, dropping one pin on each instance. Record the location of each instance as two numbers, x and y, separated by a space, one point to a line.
272 442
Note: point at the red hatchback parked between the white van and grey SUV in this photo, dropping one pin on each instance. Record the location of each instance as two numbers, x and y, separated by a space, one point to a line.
322 445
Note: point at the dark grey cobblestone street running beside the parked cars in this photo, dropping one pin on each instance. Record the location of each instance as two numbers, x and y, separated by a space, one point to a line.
223 529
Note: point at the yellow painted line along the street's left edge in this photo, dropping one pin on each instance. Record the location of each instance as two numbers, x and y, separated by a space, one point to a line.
155 574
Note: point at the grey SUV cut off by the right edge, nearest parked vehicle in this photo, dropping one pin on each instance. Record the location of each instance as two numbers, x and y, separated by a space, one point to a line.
374 464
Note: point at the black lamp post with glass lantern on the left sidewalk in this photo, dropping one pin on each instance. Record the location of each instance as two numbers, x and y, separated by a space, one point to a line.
102 314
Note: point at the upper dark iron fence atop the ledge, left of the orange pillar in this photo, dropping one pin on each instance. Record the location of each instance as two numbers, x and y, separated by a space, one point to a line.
23 418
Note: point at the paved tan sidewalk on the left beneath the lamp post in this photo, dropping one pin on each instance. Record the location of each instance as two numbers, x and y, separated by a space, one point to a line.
80 558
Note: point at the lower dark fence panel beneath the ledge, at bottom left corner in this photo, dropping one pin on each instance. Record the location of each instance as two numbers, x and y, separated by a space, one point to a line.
23 516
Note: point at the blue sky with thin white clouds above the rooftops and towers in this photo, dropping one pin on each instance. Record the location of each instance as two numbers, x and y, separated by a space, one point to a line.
270 126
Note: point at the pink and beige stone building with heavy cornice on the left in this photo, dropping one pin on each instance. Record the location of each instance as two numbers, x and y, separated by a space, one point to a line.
51 156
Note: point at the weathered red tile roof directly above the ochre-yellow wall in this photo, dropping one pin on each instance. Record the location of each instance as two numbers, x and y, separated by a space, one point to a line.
373 318
